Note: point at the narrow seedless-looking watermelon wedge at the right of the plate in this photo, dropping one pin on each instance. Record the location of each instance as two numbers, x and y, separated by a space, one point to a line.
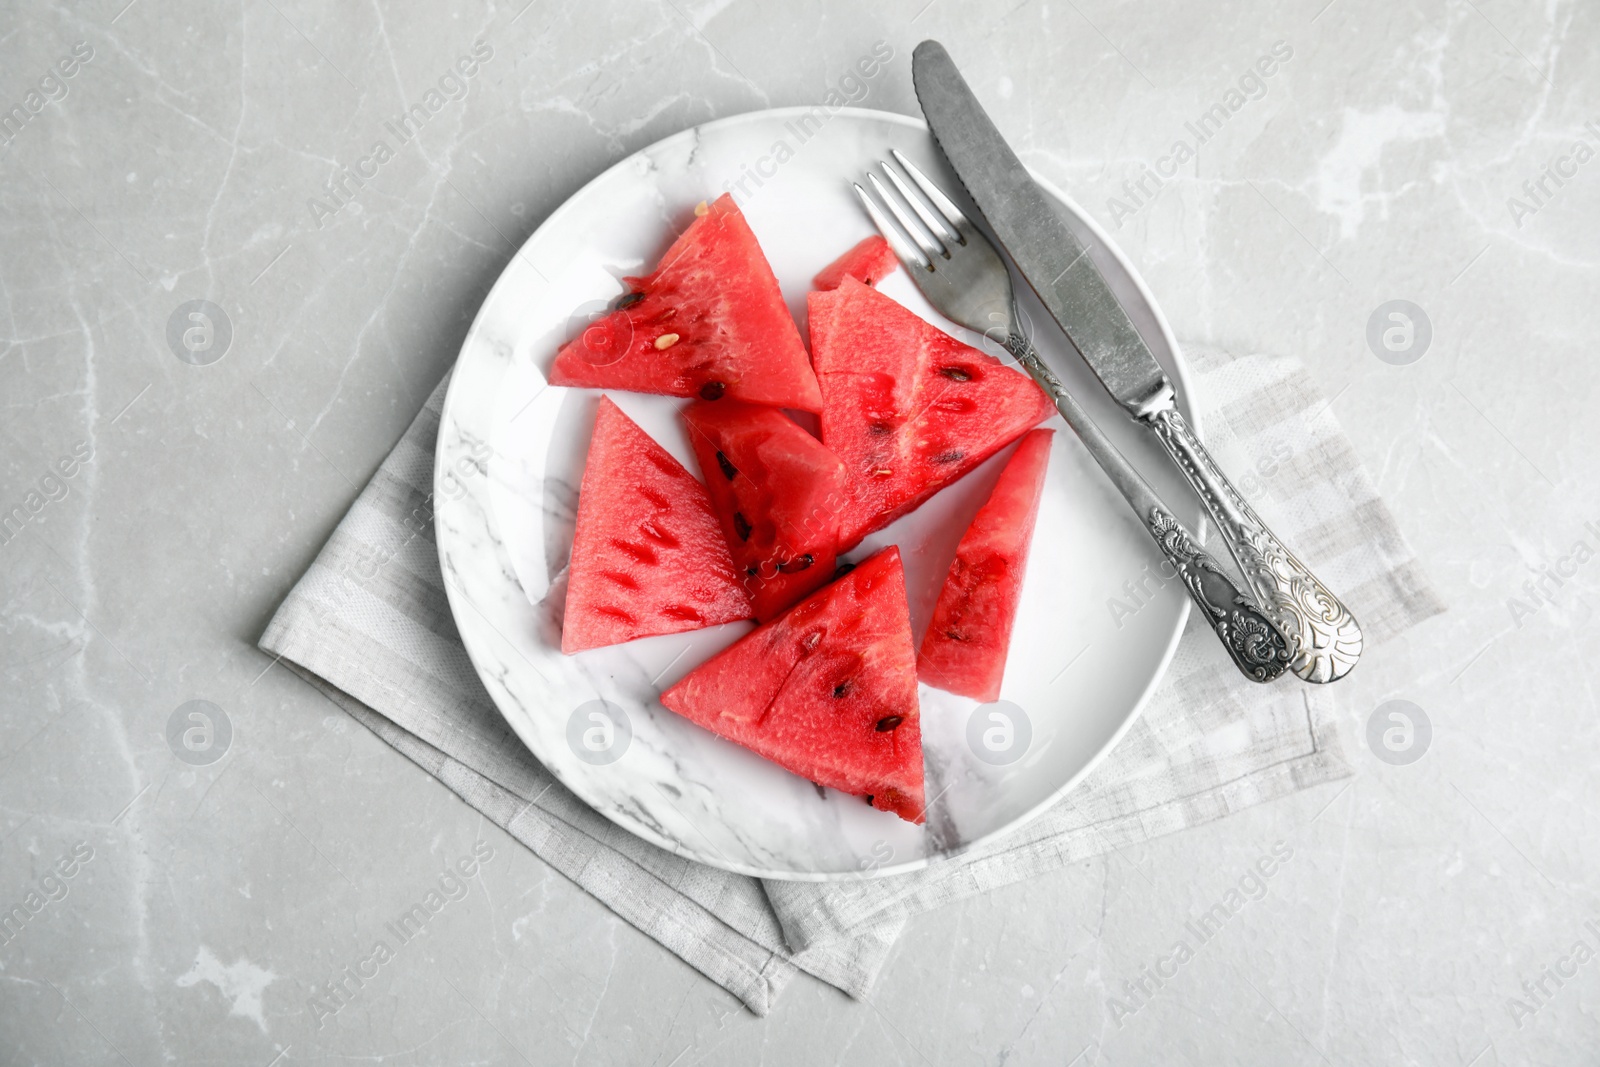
967 642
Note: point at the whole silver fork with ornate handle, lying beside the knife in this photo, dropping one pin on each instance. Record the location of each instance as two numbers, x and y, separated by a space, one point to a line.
964 278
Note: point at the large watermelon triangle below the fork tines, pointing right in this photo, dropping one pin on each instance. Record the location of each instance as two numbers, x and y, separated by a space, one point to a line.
906 407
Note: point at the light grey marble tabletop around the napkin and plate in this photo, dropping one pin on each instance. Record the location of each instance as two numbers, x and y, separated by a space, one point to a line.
159 154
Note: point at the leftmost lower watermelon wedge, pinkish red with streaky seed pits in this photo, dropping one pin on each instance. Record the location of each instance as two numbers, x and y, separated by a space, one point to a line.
647 556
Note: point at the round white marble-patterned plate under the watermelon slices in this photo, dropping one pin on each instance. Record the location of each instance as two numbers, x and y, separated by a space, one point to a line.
511 455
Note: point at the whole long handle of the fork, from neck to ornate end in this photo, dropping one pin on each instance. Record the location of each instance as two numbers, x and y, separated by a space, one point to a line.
1252 641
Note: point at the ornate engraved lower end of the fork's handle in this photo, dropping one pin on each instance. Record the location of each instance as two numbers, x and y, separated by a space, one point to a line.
1257 645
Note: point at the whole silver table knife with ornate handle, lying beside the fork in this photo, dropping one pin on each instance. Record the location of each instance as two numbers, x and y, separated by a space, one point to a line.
1058 266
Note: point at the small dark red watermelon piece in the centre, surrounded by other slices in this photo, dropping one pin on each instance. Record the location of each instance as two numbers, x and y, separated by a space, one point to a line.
777 492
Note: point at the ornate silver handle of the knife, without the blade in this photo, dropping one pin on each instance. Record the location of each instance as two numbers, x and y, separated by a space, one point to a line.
1324 636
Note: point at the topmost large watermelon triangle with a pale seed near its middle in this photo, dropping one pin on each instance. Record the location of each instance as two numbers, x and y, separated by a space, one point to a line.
710 322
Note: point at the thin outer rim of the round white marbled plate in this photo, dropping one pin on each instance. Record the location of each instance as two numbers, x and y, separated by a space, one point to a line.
1183 388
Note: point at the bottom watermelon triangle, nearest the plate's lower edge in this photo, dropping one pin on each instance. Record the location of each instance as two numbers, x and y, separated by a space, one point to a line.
826 690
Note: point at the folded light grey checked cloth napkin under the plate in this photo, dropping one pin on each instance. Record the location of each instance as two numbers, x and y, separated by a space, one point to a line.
370 628
